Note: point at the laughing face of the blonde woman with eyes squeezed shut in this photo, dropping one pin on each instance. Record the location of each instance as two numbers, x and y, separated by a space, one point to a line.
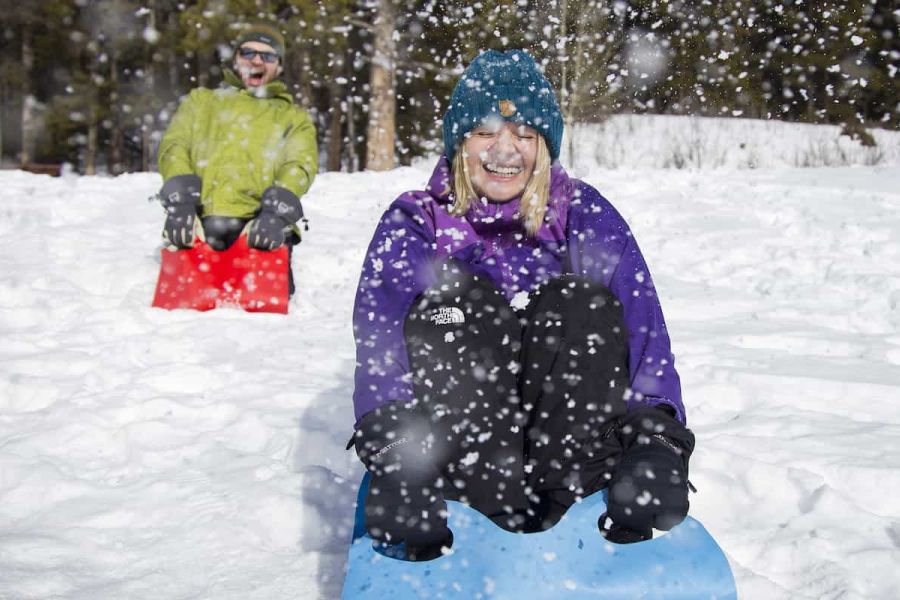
500 158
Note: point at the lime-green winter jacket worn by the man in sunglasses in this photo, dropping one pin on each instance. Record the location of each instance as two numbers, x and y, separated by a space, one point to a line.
239 142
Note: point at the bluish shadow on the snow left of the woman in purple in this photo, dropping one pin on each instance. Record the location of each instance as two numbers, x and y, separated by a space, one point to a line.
330 480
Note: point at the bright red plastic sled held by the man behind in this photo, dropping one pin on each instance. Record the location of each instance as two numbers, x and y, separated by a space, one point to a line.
201 278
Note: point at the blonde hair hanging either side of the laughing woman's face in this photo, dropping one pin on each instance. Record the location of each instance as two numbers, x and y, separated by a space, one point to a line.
533 205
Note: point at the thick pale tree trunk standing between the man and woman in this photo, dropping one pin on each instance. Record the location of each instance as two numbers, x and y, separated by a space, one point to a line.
381 133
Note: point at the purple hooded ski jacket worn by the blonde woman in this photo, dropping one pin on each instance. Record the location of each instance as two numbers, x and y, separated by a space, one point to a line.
582 234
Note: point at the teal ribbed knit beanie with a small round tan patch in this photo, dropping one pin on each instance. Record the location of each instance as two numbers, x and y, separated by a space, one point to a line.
508 85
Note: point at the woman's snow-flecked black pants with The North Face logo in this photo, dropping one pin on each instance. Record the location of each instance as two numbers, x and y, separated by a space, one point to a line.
522 405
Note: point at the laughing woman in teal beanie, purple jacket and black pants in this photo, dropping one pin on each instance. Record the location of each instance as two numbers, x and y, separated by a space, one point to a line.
511 349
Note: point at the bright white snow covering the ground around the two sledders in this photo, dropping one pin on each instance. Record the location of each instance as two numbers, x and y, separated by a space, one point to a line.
180 455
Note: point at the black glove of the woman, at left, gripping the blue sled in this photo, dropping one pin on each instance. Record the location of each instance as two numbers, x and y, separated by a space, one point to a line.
404 503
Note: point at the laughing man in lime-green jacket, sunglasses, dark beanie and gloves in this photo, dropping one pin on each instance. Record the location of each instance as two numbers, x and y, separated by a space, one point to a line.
240 156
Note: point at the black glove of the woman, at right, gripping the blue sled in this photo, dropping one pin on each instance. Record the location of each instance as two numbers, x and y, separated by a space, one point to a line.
650 487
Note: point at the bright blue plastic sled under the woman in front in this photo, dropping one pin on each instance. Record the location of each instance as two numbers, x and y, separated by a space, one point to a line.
571 561
